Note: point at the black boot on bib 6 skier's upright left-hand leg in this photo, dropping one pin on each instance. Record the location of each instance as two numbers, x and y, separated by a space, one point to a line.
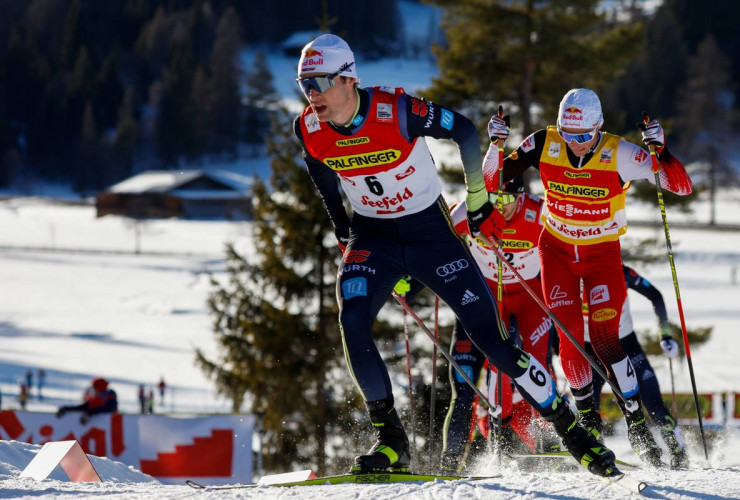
391 451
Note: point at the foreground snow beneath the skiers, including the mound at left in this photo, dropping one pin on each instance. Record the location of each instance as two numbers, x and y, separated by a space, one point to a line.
721 480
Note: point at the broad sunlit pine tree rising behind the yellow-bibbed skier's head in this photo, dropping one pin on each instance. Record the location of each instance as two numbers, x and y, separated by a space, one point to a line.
526 52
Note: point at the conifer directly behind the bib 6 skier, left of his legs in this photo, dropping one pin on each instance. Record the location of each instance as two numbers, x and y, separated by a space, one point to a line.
276 319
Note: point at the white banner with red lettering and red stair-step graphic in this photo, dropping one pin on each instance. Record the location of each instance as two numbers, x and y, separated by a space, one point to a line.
209 450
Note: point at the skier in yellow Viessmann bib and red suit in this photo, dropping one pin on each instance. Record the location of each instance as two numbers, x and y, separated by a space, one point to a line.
584 173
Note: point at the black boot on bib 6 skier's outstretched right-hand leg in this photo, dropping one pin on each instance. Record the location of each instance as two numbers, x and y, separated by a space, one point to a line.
584 447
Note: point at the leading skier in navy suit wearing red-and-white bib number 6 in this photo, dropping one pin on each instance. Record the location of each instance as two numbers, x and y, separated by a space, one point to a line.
372 140
